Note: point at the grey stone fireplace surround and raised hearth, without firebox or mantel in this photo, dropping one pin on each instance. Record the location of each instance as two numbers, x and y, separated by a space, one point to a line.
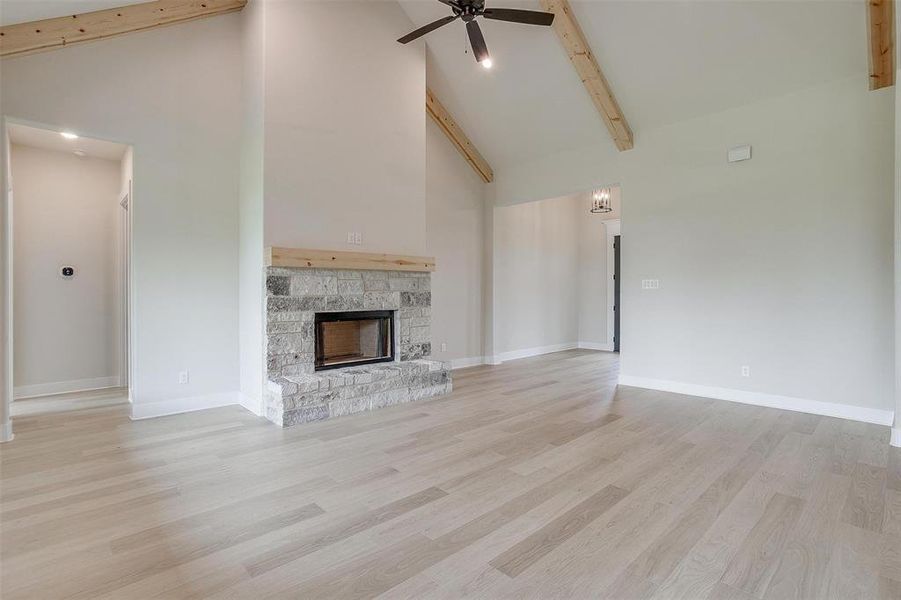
296 393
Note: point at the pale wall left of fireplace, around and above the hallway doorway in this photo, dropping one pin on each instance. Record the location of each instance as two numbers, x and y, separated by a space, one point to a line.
175 94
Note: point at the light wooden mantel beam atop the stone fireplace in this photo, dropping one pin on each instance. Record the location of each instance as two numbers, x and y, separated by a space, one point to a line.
333 259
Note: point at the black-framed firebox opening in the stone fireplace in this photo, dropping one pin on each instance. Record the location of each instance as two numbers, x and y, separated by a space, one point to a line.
353 338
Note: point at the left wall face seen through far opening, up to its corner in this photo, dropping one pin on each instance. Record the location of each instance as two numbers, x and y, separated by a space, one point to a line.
536 268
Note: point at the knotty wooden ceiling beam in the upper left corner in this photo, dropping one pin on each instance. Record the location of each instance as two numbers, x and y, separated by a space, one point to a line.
48 34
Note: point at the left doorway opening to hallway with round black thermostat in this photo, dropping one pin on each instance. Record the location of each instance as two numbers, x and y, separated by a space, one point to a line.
71 238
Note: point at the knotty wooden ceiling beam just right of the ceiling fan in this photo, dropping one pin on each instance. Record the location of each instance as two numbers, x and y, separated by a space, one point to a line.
574 43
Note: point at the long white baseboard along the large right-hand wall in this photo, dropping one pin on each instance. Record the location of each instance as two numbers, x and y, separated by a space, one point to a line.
815 407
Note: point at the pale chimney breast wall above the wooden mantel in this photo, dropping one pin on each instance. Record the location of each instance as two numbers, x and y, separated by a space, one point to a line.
345 127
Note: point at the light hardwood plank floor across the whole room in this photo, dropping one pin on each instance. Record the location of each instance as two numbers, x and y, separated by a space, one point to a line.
535 479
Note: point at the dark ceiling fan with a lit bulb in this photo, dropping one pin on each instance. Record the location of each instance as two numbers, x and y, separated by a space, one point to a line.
468 11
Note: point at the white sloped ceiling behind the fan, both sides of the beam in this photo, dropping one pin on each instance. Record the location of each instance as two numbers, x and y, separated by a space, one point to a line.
666 60
